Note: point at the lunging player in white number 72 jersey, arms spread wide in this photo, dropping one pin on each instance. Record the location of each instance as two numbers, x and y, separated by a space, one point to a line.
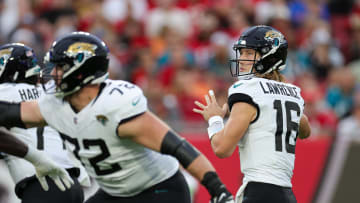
132 154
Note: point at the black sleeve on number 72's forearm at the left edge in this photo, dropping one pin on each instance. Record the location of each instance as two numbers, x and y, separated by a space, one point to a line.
10 115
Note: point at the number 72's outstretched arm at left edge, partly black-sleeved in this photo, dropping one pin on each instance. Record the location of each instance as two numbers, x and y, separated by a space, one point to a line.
23 115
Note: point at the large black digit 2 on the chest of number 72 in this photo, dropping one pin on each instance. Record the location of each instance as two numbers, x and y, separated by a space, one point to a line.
104 154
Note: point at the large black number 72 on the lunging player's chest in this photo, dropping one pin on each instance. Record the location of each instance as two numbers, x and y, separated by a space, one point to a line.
96 159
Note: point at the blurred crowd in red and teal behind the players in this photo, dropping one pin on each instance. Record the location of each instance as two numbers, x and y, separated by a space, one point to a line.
176 50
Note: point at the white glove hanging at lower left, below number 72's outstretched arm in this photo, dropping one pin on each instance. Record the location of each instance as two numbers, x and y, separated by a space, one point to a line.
44 166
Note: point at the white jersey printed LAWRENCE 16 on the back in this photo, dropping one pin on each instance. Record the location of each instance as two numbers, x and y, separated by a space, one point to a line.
267 150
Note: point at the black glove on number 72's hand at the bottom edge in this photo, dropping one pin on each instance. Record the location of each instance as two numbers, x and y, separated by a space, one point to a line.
217 190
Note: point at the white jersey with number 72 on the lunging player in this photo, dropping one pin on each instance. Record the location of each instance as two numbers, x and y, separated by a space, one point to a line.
120 166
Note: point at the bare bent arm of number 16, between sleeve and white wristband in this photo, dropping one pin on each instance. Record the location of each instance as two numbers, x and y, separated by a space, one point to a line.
225 141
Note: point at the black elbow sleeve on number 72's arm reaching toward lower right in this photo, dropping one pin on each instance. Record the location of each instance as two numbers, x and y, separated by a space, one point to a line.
178 147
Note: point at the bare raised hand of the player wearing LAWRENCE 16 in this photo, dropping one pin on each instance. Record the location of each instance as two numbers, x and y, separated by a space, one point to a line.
211 108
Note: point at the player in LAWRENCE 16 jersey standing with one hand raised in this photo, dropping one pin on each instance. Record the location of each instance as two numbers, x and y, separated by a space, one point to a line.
266 117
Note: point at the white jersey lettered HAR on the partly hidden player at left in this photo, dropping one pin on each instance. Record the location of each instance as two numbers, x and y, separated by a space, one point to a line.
44 138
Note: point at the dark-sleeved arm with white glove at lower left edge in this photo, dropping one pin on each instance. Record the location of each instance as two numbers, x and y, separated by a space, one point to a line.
43 165
